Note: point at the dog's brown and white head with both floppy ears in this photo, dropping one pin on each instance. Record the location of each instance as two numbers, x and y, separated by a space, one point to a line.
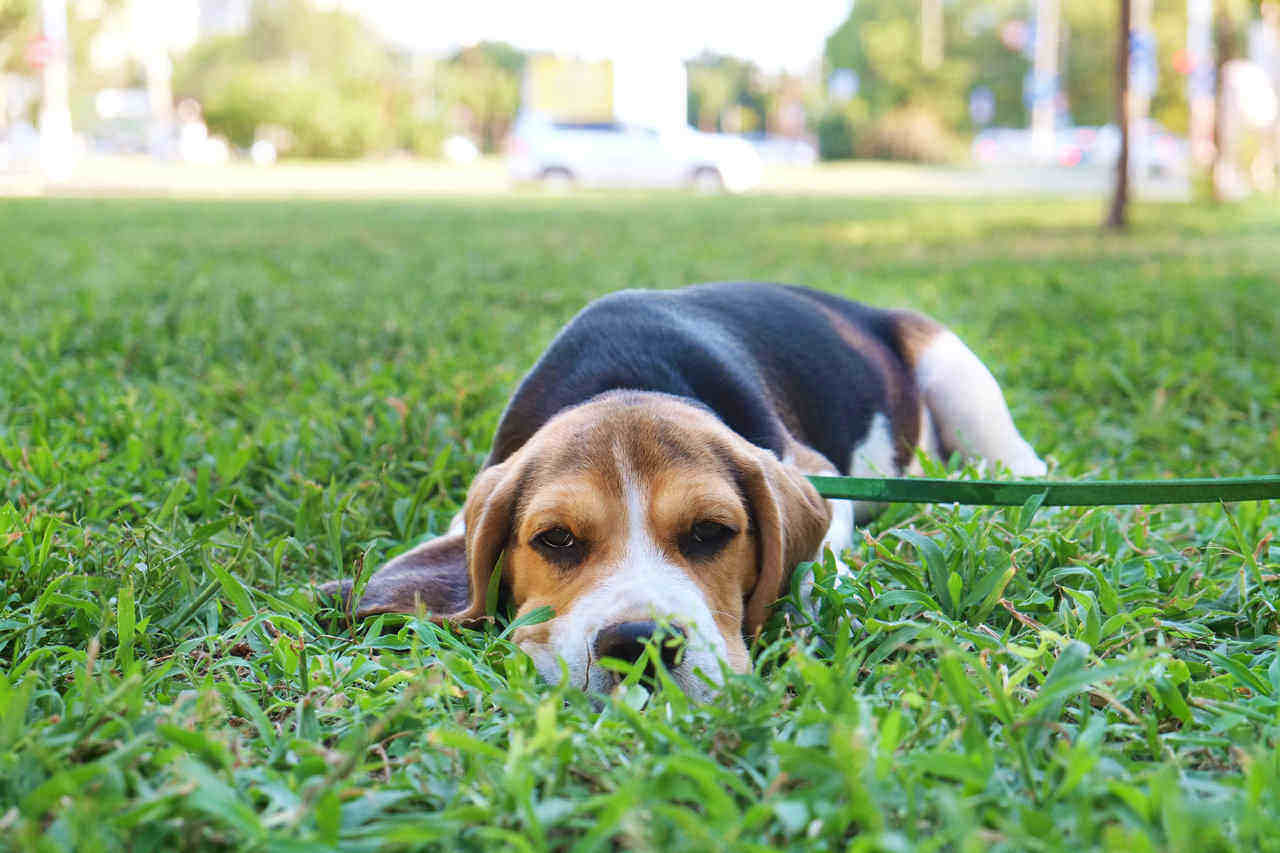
632 516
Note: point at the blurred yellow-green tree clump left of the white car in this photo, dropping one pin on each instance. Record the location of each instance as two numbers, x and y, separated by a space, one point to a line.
328 86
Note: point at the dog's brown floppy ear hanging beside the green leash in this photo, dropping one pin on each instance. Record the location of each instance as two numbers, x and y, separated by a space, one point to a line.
792 521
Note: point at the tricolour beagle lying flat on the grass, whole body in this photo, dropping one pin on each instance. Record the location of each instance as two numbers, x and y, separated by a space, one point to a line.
648 480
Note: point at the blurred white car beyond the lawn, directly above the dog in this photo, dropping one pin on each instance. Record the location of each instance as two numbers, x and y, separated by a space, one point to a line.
610 154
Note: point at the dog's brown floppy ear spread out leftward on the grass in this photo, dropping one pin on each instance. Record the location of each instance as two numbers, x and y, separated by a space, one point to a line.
447 577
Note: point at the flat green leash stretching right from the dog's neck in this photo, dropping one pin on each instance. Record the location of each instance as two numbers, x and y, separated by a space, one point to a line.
1055 494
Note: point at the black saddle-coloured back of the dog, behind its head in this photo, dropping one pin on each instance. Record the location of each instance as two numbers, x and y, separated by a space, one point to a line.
767 359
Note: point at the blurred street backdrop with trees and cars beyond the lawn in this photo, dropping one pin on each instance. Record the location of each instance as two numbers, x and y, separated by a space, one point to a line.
871 97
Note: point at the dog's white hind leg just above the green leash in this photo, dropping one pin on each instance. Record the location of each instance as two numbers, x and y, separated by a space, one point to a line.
968 409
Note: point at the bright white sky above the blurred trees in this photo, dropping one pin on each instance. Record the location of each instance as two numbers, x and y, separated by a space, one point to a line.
778 37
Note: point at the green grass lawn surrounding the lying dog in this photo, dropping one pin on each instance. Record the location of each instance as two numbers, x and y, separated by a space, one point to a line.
209 408
